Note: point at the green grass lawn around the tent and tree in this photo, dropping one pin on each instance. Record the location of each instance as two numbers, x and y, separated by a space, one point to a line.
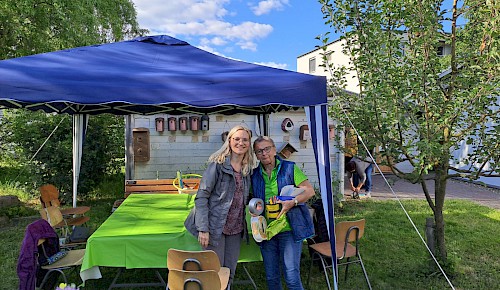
394 255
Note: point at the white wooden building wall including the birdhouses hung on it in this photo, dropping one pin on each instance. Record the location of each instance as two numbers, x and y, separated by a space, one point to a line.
163 152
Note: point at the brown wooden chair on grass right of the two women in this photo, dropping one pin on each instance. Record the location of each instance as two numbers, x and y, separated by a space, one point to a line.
347 234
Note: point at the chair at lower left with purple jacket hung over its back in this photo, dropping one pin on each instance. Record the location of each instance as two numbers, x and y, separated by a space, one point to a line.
71 261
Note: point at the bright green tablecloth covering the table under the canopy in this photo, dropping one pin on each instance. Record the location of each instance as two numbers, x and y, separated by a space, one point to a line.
140 232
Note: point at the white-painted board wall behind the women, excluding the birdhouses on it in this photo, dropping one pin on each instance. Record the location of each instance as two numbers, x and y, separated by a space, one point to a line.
188 151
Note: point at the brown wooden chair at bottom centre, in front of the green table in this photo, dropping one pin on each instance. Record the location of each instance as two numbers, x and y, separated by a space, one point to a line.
180 263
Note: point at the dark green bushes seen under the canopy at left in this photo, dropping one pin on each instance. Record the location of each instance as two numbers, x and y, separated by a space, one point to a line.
43 144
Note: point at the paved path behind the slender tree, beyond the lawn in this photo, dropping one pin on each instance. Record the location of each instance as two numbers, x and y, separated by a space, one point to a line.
455 189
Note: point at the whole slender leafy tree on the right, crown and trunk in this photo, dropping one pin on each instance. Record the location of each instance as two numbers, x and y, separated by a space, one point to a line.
415 105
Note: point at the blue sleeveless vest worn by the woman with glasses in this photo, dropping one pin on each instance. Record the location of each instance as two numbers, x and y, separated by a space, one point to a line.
298 217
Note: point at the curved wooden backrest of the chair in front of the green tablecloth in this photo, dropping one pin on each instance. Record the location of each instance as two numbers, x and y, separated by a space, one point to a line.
193 260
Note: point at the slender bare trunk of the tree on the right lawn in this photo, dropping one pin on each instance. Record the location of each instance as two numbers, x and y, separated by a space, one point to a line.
439 193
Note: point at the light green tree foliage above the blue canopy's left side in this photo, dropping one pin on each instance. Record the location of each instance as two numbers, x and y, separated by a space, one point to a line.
34 26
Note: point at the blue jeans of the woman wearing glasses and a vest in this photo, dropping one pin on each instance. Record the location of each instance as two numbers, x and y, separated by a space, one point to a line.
282 253
